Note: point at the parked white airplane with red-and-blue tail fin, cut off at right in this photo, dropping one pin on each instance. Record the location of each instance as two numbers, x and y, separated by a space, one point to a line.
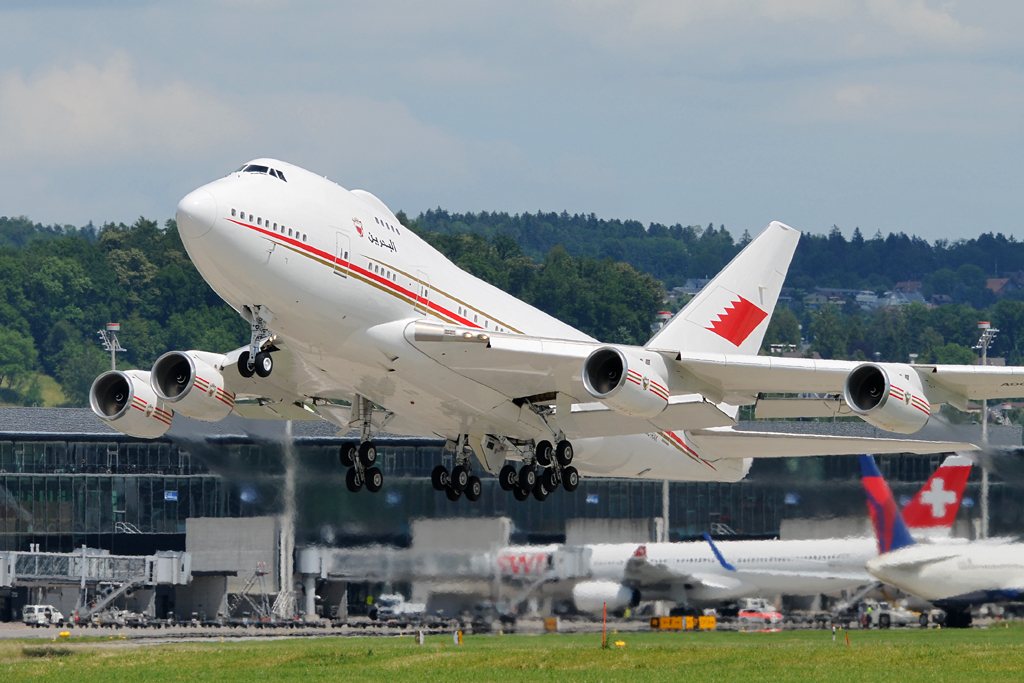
954 577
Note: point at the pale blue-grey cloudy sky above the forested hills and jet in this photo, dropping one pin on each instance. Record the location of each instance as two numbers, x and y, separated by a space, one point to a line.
884 115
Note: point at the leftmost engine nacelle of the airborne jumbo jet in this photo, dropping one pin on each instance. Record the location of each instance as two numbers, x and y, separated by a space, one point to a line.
127 403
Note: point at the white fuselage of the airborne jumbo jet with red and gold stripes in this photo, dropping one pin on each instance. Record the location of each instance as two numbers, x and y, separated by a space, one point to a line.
344 279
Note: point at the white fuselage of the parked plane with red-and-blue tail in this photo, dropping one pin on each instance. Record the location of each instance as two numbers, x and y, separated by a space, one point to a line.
955 575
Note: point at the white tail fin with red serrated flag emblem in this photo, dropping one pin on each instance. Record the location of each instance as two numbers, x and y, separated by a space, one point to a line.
732 313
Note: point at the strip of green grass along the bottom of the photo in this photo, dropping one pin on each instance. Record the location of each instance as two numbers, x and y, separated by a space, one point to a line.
893 657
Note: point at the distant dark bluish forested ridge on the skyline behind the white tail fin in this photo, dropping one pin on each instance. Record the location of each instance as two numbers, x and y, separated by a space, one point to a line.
673 254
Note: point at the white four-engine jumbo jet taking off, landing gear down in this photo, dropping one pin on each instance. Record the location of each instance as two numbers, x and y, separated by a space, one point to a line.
358 321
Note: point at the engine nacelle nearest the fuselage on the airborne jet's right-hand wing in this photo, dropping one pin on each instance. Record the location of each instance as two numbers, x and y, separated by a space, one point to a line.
626 381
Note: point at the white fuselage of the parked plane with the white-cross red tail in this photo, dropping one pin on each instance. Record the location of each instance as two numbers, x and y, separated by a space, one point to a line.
763 569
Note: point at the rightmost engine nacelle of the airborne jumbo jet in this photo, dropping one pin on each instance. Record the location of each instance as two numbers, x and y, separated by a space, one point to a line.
888 396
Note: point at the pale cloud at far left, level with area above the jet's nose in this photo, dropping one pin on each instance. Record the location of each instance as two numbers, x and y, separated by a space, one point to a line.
102 114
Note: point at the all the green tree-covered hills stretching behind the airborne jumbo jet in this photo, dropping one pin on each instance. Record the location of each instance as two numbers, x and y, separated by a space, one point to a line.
61 284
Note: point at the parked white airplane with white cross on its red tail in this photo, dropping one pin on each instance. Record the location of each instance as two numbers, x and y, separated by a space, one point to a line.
709 573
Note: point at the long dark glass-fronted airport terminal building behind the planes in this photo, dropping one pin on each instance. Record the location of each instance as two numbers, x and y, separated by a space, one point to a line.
68 481
